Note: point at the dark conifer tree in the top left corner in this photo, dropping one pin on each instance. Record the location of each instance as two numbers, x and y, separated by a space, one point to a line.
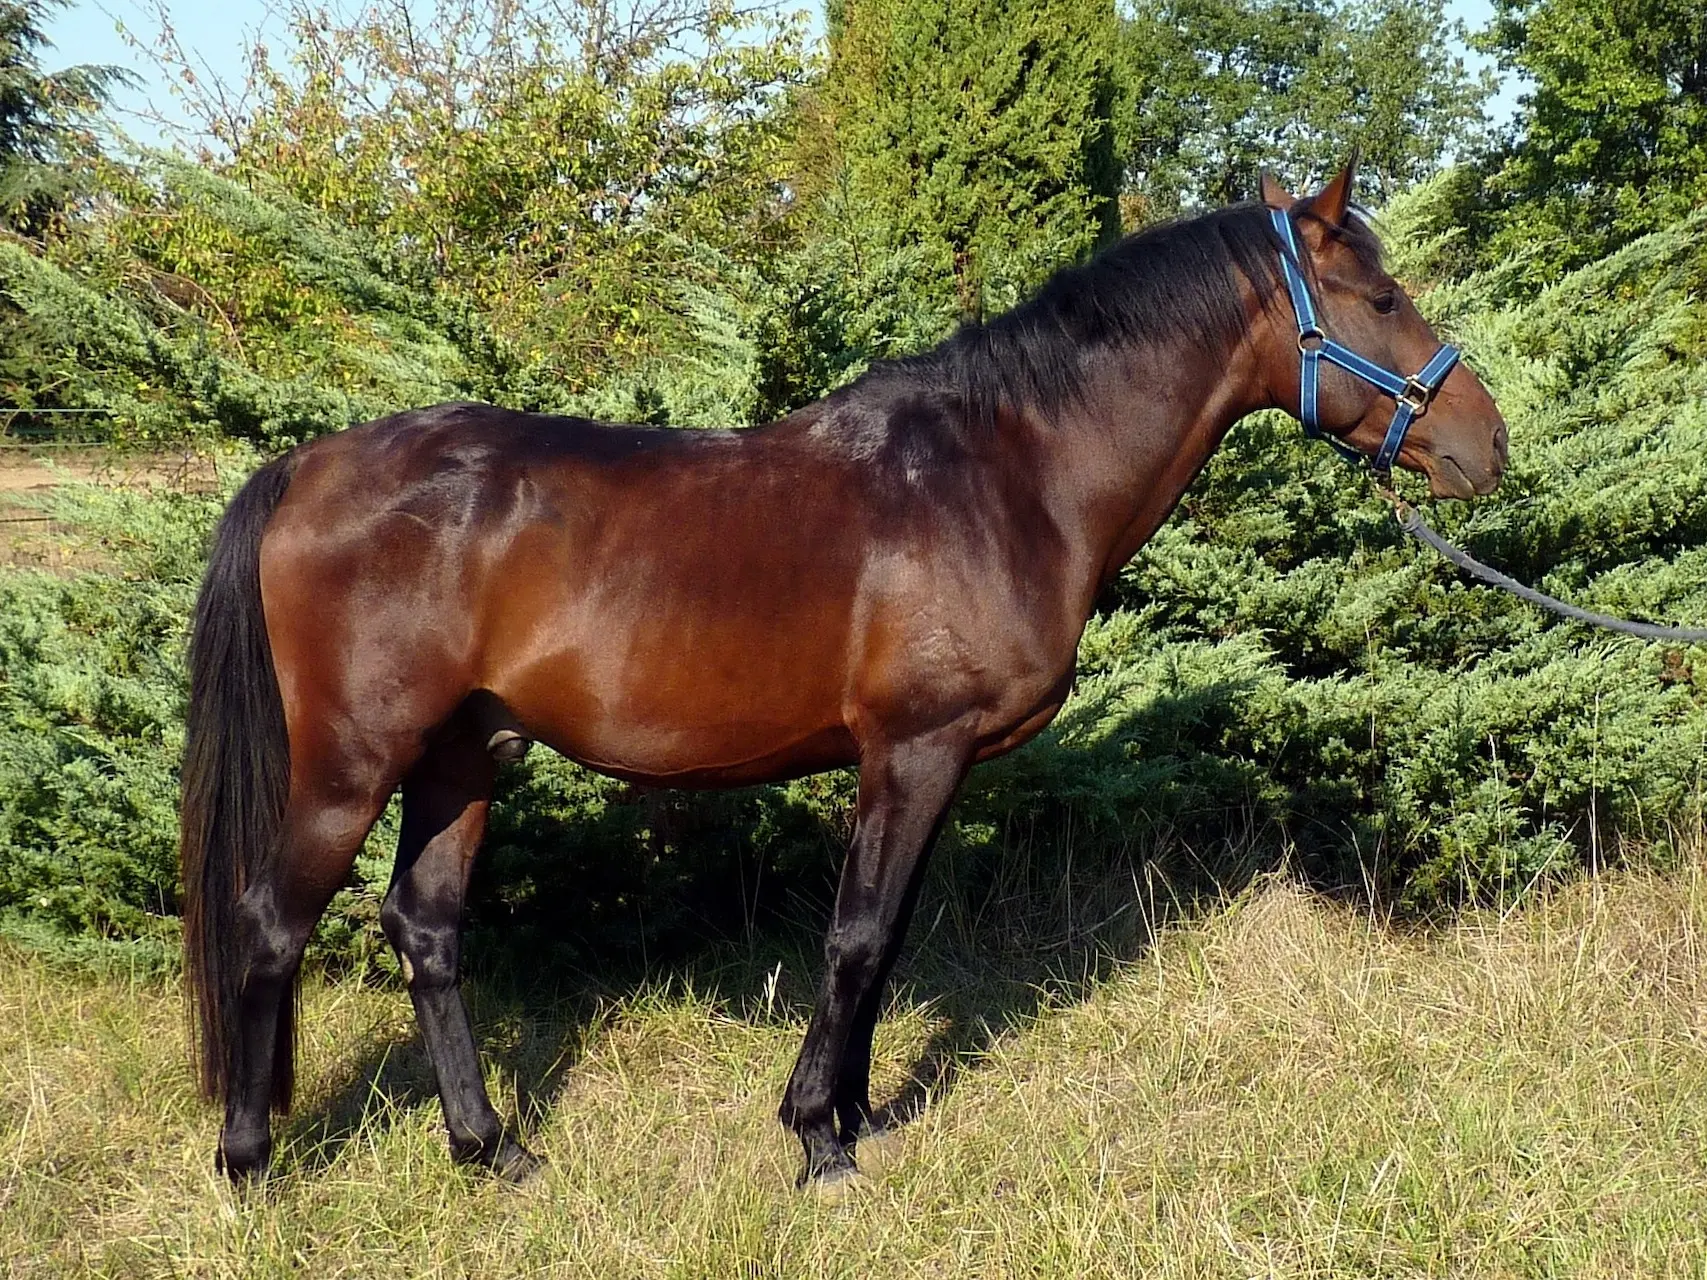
44 117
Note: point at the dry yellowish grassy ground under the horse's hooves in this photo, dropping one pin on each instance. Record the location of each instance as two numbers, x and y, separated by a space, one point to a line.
1278 1088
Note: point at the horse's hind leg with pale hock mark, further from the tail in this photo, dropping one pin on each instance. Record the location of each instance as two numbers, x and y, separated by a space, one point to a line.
445 815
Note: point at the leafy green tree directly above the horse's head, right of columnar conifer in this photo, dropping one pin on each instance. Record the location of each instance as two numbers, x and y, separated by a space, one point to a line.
1223 88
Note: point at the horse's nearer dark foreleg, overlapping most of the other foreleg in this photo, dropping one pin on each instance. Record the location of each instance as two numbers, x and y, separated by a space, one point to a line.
904 791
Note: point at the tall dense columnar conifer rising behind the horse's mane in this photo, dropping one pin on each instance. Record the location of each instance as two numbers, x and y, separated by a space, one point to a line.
977 134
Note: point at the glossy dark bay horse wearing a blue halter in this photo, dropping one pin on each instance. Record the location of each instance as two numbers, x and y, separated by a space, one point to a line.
894 578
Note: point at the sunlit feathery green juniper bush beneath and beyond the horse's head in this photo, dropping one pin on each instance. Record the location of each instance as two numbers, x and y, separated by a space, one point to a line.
1452 738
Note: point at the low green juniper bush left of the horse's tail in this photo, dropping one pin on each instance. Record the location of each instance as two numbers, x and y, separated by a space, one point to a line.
91 718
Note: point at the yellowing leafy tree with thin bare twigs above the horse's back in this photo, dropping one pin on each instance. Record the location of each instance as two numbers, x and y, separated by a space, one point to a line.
551 166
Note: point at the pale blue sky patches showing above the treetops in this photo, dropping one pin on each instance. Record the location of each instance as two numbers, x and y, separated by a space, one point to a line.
214 33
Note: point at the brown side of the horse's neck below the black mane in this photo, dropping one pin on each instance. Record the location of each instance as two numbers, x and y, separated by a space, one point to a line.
1146 428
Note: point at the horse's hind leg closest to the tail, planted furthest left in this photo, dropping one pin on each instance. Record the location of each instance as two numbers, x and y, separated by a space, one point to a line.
323 830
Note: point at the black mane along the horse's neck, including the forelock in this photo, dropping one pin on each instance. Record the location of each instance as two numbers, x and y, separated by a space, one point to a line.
1163 284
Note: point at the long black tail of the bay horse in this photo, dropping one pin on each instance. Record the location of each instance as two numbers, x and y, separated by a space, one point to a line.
235 783
